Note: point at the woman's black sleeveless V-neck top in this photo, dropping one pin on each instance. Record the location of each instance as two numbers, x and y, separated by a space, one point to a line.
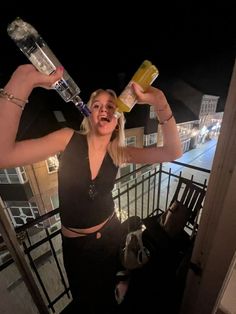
84 202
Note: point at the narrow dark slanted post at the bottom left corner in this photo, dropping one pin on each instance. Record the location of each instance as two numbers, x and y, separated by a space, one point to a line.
10 239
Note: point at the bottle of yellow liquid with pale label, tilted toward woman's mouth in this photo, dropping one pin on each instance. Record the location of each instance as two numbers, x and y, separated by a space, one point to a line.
144 76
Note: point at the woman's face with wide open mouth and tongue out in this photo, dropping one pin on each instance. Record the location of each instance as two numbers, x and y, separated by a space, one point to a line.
102 118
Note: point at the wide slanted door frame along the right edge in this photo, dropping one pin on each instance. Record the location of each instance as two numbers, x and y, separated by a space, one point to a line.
215 244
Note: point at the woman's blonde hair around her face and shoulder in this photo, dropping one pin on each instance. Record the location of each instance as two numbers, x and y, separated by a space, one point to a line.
117 143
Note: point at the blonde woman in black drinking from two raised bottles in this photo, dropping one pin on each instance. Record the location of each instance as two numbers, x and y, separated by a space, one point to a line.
89 162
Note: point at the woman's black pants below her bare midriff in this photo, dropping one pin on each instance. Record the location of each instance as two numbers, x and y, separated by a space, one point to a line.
91 264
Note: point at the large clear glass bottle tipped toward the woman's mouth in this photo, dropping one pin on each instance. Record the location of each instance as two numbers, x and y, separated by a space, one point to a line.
37 51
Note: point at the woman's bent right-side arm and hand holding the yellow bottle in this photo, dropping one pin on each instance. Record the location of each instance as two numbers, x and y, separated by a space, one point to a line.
171 148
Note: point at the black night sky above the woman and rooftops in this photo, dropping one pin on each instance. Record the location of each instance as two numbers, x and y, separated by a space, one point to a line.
97 43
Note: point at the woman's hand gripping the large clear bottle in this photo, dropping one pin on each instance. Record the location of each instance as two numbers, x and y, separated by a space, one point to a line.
28 75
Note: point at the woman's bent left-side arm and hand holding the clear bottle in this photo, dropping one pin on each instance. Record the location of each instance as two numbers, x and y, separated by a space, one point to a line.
13 98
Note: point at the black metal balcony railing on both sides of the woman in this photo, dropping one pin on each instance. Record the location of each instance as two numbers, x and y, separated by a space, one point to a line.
151 189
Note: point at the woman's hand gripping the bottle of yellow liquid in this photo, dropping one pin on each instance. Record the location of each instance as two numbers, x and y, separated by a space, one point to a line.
152 96
